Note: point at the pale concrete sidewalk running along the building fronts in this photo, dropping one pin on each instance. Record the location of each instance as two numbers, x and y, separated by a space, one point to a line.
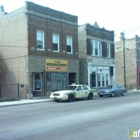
39 100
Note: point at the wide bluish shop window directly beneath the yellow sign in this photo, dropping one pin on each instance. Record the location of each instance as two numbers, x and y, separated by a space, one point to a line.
56 80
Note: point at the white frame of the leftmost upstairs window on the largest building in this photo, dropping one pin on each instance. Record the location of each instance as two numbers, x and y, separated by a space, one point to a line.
42 40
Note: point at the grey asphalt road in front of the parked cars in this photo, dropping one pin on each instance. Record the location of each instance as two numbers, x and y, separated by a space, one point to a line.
98 119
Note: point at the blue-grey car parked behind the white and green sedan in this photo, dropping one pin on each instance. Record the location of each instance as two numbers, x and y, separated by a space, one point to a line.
112 90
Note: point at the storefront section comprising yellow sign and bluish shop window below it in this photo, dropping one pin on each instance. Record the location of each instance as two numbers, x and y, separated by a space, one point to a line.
56 74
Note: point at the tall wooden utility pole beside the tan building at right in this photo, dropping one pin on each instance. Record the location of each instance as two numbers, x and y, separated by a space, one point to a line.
123 40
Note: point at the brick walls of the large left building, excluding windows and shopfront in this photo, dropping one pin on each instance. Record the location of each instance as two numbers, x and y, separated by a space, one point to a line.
18 42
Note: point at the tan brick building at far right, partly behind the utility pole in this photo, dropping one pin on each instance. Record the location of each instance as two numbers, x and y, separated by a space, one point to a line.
132 62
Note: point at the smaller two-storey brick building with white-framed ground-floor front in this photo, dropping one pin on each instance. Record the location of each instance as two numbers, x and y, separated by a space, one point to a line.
96 53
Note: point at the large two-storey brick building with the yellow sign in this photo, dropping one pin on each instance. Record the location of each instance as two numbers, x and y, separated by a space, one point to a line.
40 50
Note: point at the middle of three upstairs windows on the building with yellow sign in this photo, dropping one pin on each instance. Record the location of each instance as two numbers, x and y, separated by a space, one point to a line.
55 41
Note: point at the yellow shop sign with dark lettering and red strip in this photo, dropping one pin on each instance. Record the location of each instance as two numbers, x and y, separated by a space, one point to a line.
56 65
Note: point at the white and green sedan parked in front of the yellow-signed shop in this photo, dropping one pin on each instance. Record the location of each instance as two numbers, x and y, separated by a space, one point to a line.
73 92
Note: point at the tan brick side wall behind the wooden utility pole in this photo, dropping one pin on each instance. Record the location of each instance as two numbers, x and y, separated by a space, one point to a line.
130 60
